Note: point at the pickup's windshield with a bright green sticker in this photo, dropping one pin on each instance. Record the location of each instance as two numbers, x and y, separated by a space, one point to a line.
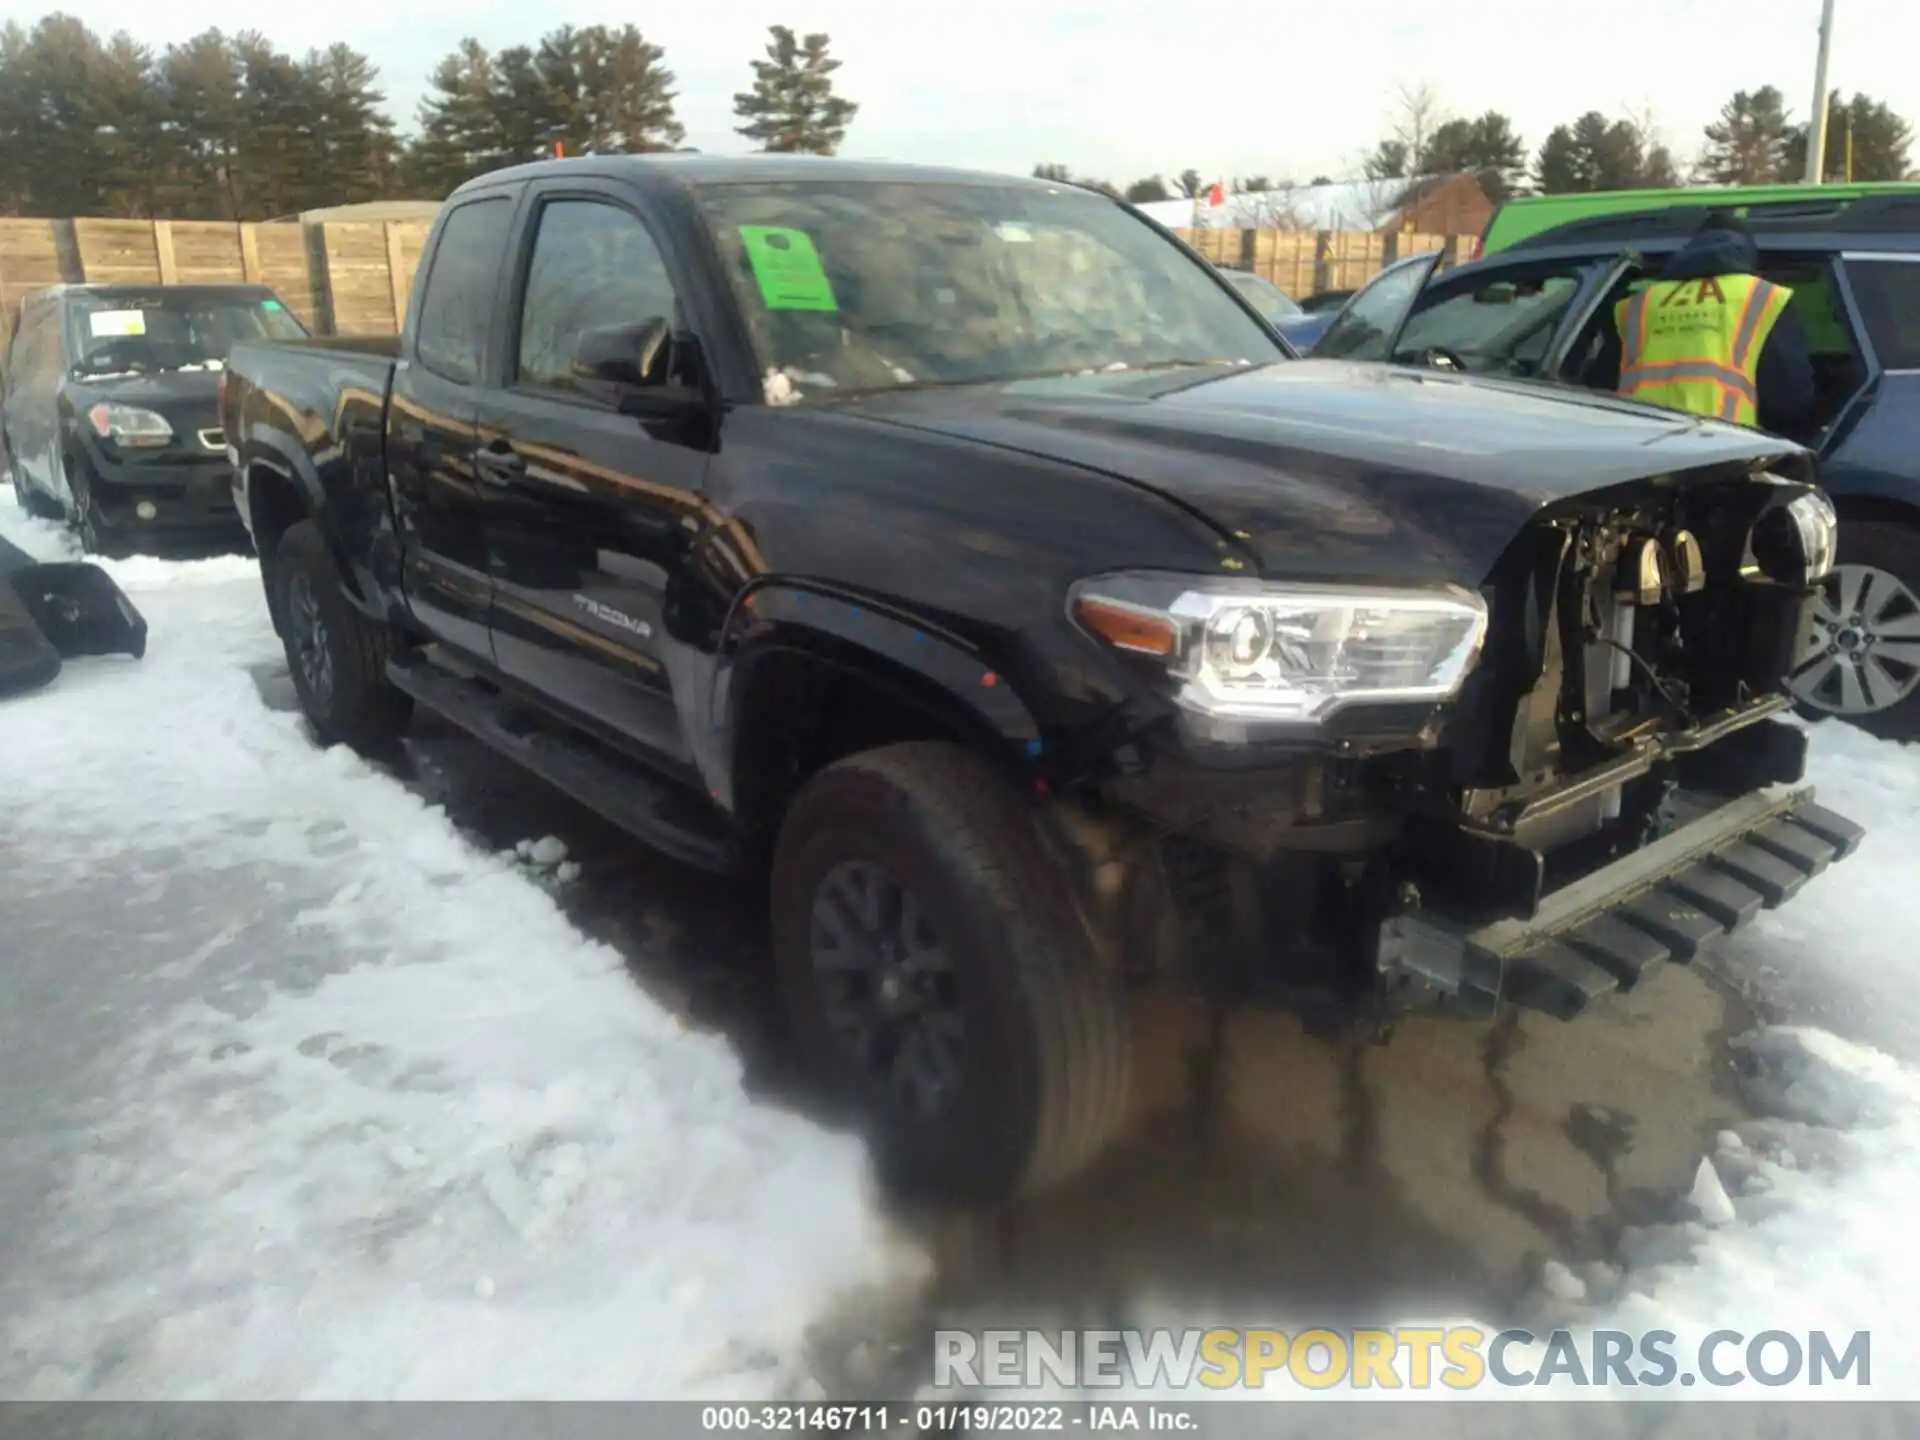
882 285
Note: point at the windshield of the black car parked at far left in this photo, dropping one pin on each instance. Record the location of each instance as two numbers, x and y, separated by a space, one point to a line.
153 331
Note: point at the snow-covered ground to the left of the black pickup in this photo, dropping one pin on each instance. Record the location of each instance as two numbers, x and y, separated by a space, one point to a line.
377 1122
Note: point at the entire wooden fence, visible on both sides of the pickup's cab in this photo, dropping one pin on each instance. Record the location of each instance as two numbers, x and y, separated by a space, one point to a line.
352 277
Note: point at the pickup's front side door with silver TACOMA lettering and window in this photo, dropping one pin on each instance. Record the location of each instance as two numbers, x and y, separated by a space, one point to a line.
588 512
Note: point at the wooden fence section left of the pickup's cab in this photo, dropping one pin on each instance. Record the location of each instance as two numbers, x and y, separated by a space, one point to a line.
339 277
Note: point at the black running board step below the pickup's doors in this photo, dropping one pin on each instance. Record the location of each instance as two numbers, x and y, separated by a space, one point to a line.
654 811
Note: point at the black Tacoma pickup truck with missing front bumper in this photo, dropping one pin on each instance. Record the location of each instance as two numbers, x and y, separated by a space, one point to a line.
971 560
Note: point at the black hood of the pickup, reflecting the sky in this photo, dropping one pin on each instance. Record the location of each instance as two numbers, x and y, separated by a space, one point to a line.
1333 469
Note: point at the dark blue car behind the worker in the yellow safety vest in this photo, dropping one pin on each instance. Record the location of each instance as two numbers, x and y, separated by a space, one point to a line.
1539 312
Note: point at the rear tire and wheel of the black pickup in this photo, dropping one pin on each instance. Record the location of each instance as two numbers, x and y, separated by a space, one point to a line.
337 656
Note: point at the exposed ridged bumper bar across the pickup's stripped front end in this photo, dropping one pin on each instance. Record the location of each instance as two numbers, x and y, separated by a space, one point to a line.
1669 903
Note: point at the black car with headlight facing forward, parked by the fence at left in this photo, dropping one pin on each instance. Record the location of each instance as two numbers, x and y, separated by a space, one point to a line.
112 408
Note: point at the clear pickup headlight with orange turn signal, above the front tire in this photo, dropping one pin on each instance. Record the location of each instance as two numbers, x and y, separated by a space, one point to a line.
1289 654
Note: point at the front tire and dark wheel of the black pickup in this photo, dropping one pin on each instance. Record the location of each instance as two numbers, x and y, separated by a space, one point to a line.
919 919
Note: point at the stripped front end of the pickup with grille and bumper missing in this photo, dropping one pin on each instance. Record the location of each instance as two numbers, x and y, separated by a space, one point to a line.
1610 788
